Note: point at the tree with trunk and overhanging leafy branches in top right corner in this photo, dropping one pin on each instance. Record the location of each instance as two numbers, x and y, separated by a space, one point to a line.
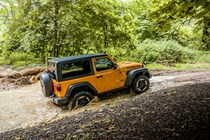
166 12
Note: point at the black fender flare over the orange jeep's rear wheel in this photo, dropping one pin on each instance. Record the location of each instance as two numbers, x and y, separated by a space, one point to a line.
69 92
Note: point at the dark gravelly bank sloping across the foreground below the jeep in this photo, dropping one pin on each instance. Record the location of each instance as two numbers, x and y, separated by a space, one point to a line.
174 113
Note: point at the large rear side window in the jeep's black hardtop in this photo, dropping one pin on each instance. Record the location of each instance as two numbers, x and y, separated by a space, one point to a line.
75 69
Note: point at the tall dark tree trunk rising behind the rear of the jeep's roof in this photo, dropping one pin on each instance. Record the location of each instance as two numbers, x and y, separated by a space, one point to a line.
55 41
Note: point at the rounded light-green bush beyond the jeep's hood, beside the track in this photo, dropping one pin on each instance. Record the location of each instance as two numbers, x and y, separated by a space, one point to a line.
151 51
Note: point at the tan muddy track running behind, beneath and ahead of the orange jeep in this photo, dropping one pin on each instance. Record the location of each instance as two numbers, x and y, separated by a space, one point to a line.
26 105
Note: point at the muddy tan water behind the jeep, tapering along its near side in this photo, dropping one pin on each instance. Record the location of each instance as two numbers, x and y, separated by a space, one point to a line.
26 107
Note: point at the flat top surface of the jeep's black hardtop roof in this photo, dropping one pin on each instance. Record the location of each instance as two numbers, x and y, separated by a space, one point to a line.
70 58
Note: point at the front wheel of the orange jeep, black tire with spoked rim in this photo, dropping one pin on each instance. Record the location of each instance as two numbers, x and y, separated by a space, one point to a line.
140 84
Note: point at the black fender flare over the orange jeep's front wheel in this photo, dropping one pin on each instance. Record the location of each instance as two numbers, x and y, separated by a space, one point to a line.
131 75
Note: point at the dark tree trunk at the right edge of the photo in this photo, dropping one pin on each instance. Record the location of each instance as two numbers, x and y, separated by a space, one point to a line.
206 34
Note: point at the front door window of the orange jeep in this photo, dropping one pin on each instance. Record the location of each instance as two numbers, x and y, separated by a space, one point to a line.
103 64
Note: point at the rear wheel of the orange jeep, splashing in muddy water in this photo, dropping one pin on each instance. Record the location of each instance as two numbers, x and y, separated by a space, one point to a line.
80 99
